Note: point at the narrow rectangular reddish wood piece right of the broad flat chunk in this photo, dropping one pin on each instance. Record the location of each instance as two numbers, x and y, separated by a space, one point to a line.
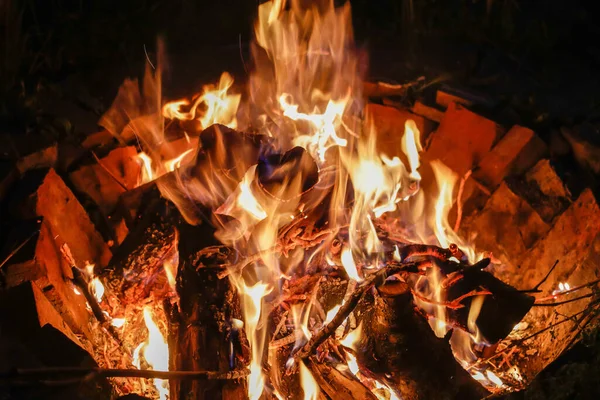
514 154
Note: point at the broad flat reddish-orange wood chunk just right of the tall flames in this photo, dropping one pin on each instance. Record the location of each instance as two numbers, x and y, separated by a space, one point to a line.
462 139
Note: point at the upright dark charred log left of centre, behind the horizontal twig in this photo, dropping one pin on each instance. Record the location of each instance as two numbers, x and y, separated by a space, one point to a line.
201 333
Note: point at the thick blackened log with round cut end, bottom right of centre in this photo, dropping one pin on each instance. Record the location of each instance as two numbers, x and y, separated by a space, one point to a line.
400 349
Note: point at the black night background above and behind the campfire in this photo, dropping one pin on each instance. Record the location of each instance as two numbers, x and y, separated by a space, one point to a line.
64 59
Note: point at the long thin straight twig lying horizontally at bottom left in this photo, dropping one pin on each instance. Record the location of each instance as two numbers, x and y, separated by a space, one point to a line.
88 373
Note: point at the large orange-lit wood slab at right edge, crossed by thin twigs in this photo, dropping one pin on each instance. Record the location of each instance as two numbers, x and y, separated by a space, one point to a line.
574 241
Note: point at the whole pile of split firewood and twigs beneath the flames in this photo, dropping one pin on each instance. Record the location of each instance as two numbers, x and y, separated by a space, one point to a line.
512 202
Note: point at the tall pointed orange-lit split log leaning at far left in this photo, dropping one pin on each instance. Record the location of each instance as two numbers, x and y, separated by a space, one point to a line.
63 220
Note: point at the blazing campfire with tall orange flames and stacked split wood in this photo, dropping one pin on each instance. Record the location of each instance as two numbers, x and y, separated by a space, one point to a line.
293 238
